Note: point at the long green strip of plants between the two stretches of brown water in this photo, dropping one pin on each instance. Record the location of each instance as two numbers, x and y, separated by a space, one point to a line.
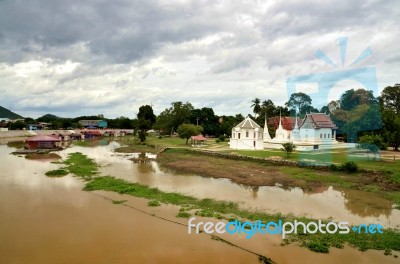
209 207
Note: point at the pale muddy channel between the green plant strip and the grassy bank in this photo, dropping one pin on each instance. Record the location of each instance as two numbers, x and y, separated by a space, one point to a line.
342 205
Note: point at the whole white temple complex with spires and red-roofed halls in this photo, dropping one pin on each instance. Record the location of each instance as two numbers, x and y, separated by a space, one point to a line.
315 131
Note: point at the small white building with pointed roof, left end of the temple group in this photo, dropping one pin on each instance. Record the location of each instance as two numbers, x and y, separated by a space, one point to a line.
247 135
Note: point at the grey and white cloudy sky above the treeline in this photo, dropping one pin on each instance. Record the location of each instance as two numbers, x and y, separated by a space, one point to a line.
106 57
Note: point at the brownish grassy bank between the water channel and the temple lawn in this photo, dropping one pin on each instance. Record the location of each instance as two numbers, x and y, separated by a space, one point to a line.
261 174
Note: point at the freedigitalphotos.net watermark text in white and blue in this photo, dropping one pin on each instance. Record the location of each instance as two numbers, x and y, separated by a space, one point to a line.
280 227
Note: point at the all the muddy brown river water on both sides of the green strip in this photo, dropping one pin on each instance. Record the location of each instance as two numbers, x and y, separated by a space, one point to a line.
47 220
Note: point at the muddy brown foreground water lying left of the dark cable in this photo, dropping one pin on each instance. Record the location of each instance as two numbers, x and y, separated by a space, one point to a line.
48 220
